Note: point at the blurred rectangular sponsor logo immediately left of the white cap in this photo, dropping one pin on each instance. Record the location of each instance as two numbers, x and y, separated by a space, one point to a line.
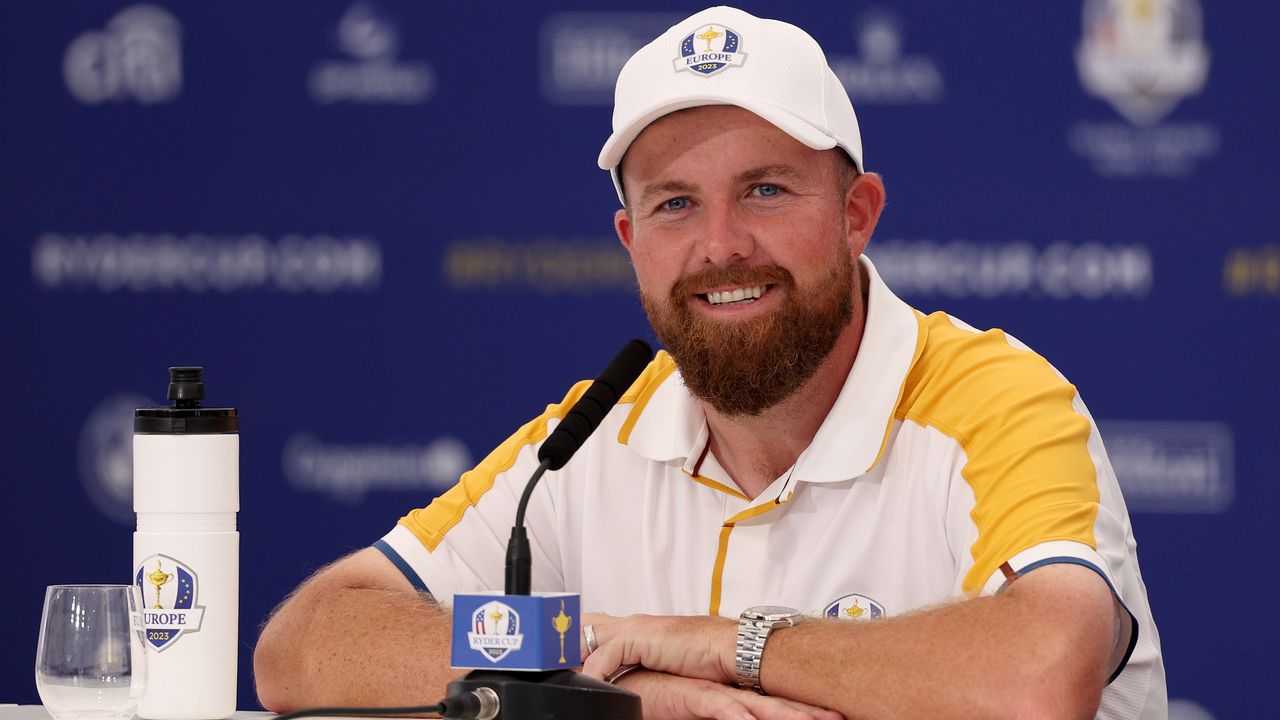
583 53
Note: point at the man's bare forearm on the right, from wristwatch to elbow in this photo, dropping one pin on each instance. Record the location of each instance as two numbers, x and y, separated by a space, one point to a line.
988 658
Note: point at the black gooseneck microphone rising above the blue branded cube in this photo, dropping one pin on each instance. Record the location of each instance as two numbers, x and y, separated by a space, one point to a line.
564 443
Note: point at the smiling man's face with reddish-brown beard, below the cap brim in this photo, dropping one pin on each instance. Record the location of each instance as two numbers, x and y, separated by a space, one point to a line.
744 244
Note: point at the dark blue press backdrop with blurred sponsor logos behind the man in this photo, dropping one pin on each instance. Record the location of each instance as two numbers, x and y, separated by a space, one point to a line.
381 229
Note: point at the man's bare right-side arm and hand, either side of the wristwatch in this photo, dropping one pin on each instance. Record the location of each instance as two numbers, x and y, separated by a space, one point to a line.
1044 649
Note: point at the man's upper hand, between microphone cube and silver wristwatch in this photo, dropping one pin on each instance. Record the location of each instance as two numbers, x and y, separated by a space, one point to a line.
680 645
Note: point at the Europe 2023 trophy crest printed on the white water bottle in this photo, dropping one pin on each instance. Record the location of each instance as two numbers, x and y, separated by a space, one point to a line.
170 590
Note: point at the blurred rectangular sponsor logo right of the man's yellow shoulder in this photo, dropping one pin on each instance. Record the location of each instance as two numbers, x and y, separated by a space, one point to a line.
1173 467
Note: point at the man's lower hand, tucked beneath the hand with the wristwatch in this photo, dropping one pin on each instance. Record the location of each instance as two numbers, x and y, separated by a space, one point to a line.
670 698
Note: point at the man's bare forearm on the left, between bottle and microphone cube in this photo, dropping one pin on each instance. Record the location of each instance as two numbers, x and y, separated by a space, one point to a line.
336 645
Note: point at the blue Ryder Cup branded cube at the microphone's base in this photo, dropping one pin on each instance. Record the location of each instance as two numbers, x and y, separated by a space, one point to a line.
516 632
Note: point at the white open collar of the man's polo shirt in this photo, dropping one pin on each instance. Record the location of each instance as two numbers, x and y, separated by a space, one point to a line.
673 425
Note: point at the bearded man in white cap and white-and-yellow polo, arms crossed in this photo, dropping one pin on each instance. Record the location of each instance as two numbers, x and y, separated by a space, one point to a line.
931 508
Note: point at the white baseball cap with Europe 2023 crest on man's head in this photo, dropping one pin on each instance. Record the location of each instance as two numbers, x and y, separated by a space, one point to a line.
726 57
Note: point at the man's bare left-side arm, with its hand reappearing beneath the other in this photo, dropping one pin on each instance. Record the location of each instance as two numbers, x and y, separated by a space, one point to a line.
359 635
